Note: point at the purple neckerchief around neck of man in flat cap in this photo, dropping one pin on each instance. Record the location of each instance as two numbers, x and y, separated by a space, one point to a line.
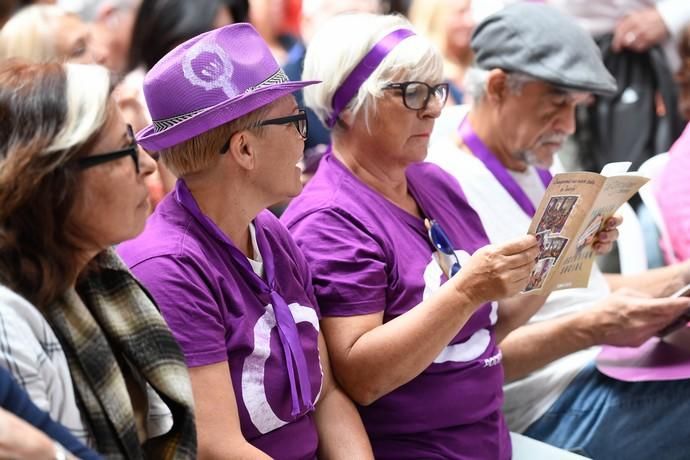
481 151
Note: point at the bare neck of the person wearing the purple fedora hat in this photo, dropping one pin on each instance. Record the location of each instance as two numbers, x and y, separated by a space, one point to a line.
230 202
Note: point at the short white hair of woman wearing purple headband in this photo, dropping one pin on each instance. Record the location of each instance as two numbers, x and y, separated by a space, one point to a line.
341 43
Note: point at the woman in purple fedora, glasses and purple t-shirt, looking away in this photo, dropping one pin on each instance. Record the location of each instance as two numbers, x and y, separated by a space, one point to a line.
232 285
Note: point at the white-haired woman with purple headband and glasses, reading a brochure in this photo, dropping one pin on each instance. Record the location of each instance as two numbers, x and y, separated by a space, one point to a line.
383 232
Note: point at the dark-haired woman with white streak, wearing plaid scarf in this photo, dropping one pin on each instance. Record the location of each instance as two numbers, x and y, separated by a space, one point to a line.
77 330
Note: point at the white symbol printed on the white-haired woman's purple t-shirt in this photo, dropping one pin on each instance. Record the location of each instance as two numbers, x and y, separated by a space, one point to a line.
479 342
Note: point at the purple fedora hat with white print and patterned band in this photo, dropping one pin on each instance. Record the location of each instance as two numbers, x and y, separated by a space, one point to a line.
208 81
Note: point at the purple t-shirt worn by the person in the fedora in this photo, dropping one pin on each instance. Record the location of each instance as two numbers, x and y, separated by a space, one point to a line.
219 310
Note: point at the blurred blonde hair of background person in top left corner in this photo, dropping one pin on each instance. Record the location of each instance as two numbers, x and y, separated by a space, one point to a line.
29 34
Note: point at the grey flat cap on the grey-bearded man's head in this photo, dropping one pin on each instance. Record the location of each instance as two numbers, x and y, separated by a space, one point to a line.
539 41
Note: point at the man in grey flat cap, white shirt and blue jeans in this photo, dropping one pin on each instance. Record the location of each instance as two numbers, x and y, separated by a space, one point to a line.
533 66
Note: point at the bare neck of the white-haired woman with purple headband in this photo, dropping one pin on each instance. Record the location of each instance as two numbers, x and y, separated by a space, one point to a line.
387 178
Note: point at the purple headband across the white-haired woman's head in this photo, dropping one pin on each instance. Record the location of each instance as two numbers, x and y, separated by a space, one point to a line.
362 70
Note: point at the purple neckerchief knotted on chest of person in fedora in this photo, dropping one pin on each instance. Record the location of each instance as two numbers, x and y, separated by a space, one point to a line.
287 329
